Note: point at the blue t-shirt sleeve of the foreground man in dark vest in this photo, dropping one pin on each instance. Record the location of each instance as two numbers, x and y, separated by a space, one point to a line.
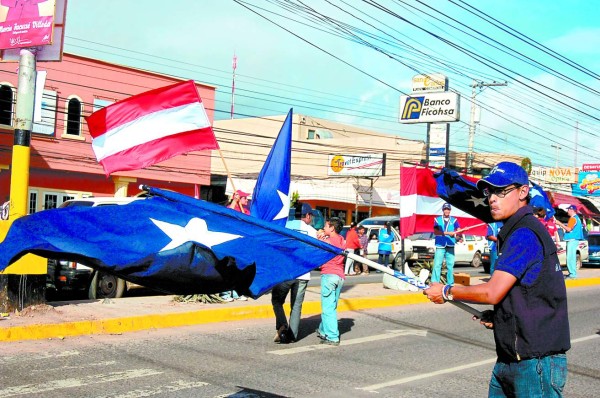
522 256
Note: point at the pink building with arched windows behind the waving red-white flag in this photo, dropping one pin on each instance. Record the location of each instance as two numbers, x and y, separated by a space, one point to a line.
63 165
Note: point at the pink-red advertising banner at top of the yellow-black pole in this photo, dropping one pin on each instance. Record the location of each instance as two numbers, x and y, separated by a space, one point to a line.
26 23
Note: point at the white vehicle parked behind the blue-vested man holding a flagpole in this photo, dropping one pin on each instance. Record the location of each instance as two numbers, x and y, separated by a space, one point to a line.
468 250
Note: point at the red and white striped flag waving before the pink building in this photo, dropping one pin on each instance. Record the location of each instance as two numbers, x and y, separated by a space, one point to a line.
150 127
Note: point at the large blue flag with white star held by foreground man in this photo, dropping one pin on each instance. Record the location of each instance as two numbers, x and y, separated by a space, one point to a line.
170 242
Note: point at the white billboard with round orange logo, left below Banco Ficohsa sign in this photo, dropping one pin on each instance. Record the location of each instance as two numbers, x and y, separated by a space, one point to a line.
356 165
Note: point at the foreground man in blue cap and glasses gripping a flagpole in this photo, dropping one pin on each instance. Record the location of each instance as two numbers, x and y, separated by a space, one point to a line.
530 318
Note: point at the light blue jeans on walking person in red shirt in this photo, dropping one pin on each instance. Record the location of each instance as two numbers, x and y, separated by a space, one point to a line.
331 287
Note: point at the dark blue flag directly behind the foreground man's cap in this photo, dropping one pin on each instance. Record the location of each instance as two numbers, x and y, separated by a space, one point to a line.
463 194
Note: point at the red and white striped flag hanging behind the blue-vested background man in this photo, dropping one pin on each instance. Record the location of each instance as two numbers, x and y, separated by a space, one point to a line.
420 204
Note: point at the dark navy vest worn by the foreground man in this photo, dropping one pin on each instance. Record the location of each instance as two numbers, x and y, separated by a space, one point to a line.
532 321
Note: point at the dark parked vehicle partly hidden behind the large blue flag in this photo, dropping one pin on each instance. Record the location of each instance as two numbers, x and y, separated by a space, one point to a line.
71 276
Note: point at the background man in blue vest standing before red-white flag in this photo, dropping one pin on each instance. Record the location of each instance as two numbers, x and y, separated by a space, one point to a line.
445 229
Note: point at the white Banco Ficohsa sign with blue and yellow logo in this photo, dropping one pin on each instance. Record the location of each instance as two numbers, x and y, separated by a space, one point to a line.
428 108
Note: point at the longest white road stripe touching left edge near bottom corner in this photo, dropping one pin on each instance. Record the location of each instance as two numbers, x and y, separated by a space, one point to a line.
76 382
